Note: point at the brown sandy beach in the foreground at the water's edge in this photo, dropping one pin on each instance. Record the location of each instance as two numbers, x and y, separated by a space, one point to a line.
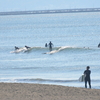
24 91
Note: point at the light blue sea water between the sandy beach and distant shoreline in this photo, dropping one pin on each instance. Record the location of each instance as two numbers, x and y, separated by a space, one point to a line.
75 37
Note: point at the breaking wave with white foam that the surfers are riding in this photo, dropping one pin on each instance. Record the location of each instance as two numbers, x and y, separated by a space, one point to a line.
55 49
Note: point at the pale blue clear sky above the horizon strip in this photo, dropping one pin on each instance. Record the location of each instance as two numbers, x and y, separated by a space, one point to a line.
26 5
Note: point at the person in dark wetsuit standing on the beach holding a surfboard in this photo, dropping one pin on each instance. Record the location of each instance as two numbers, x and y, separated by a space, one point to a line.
87 73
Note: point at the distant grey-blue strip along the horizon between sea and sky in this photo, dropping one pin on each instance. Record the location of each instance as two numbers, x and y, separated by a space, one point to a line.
51 11
